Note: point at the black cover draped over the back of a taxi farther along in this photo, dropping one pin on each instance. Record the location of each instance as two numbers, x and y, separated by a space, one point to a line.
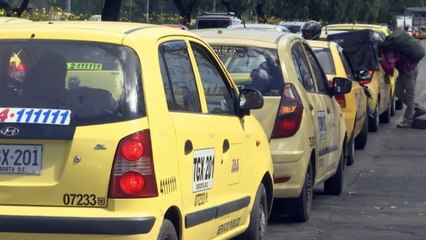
361 48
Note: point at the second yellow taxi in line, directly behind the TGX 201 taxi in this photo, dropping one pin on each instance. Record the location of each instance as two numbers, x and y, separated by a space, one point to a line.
303 121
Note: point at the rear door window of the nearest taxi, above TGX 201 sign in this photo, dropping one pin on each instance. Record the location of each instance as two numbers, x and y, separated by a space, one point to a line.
178 77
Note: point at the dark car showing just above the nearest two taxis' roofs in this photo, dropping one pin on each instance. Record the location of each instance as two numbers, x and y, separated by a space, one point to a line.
218 20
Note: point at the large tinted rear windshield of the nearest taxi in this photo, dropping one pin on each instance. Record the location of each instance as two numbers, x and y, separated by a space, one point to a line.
91 83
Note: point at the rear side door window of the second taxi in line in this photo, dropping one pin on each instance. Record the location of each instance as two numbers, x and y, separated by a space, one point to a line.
302 68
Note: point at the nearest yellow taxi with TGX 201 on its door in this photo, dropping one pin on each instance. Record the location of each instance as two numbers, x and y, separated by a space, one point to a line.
127 131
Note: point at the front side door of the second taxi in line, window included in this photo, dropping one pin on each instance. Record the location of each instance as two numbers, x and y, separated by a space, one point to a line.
332 114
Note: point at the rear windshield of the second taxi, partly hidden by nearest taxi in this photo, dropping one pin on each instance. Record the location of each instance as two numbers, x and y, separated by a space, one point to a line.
253 67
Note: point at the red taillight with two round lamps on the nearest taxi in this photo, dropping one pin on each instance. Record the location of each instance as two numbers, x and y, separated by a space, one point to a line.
133 170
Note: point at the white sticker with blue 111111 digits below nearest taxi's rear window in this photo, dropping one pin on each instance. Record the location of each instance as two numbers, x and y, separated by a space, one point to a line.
35 115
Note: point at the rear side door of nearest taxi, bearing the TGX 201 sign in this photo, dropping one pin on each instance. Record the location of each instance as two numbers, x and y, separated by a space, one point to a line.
196 142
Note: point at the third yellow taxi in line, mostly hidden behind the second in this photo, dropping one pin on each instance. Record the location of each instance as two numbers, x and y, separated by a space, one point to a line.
354 104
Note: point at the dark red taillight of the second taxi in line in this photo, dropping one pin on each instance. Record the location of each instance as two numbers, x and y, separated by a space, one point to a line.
289 114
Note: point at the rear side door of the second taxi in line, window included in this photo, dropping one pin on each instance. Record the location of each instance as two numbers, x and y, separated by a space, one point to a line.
315 104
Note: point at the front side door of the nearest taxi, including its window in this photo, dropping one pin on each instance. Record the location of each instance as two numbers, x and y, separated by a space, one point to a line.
229 133
